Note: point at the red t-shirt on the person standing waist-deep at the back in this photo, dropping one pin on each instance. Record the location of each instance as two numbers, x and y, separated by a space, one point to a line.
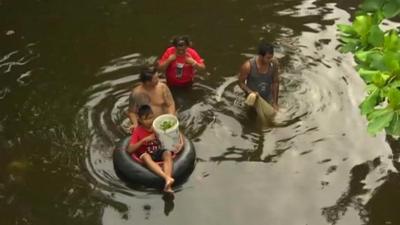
188 70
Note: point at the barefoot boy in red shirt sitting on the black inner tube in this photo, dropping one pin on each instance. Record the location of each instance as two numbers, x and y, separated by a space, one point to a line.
146 146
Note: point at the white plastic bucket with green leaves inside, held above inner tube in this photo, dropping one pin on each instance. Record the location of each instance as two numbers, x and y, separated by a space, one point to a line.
169 137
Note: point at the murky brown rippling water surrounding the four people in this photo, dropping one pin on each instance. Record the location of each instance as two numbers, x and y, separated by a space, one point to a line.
67 68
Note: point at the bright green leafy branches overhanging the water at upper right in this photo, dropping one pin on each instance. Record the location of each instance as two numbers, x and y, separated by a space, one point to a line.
376 50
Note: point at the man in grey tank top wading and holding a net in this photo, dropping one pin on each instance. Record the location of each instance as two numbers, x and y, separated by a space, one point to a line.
259 77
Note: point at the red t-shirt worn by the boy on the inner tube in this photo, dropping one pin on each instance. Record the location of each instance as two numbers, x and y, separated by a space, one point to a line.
149 146
